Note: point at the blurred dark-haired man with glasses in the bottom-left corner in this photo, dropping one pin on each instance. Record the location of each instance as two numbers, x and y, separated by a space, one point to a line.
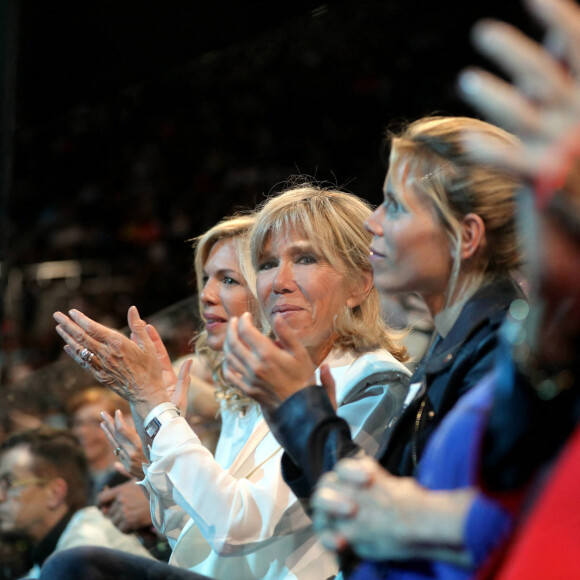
44 484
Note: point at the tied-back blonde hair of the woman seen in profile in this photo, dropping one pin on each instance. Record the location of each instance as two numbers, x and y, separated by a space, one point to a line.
431 152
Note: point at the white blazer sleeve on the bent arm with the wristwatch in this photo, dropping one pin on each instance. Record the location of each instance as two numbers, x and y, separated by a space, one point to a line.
184 478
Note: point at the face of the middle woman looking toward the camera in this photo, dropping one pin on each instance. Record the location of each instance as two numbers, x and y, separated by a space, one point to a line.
297 283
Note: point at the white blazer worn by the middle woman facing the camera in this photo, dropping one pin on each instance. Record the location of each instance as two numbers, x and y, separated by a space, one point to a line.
234 516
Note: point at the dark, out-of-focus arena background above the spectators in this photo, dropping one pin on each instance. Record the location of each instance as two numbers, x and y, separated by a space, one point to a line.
129 127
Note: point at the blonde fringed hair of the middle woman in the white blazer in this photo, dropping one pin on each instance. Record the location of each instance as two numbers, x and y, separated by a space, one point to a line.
333 221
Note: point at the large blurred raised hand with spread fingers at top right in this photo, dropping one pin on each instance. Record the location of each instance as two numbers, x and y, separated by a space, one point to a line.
542 103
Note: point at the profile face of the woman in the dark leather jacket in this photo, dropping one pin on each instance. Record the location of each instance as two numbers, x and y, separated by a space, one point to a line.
410 251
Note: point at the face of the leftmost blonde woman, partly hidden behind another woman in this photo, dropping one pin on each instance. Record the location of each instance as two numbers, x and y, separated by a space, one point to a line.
225 293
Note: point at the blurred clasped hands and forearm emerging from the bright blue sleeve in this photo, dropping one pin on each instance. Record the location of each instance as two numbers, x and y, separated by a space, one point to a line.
383 517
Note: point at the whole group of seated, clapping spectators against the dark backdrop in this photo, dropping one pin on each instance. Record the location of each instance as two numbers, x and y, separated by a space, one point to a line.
338 456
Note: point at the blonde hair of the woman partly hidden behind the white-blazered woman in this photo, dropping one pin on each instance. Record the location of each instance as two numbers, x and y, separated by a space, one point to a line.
235 228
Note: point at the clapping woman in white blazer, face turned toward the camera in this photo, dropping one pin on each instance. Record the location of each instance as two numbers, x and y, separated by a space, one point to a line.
306 241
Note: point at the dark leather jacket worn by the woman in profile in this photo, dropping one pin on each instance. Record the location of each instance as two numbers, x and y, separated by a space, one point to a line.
314 438
